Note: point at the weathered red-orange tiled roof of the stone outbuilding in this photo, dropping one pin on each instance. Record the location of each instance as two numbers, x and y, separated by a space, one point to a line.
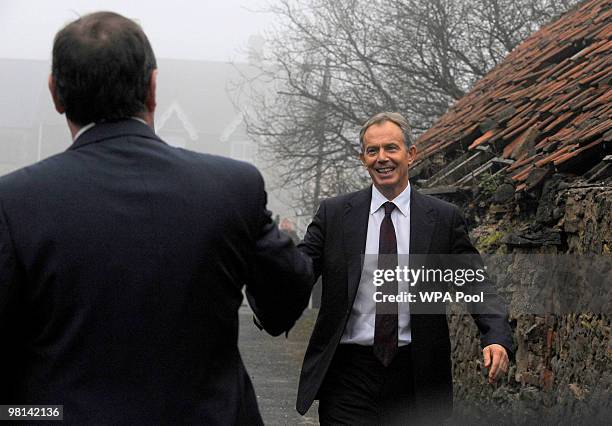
547 106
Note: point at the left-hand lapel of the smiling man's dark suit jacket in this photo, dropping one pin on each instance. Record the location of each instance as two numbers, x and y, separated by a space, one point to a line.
355 227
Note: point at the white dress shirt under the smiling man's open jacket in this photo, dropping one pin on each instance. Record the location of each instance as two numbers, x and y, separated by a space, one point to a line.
360 326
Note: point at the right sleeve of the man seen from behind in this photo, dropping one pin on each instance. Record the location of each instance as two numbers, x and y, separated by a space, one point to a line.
280 286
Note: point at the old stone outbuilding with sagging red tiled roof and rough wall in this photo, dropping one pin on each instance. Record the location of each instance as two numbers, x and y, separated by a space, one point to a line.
527 153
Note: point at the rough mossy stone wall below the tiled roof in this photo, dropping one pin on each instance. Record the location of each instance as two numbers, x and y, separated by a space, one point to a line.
562 369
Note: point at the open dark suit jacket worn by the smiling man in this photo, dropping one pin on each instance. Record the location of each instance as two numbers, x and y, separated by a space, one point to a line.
335 240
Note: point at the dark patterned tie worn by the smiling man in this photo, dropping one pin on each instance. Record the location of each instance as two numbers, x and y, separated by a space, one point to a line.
385 327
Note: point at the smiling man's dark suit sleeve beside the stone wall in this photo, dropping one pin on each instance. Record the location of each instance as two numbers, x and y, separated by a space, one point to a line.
491 316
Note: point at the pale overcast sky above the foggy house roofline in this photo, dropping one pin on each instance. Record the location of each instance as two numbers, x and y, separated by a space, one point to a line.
179 29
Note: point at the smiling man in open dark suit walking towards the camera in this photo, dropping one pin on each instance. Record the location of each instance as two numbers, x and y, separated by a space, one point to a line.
381 363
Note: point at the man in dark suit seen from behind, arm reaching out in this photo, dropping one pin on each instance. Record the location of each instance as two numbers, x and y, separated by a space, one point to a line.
122 260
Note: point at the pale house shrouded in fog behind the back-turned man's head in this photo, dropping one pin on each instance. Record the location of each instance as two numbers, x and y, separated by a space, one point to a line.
193 112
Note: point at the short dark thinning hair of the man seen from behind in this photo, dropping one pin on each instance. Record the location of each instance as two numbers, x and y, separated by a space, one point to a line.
102 64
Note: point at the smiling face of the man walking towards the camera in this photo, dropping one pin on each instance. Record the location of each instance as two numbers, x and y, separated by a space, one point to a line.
386 158
